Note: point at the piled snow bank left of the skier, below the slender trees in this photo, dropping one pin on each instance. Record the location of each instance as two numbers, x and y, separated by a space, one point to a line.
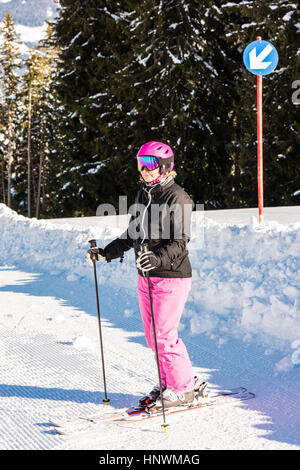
57 250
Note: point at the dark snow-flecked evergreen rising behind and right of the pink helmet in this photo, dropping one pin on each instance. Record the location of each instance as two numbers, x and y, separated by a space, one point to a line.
187 85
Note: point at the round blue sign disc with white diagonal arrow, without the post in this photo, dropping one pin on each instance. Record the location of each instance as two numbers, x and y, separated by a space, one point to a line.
260 57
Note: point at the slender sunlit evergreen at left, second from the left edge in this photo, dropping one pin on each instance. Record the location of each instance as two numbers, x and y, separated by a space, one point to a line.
35 167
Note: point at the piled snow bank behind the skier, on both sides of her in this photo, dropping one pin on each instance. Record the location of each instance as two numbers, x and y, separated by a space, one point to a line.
246 278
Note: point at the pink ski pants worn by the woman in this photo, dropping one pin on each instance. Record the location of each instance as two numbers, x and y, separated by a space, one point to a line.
168 298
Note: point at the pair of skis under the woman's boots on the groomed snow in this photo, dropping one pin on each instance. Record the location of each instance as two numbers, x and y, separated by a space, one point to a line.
134 414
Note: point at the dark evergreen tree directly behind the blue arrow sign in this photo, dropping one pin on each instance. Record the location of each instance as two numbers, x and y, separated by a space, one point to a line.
277 23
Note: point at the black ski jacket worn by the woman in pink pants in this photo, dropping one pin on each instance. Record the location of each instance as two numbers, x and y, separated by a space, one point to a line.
161 217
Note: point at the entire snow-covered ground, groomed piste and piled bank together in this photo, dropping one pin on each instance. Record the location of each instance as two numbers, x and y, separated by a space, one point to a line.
241 326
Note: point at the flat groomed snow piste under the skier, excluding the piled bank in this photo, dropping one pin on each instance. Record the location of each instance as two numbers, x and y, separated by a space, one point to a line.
51 368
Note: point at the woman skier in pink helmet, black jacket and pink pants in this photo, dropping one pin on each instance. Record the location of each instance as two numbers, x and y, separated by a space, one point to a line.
162 220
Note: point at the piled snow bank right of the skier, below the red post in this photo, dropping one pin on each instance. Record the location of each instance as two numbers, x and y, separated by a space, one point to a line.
246 282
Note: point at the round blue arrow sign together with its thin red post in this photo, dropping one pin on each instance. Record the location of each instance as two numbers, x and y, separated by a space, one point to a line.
254 60
